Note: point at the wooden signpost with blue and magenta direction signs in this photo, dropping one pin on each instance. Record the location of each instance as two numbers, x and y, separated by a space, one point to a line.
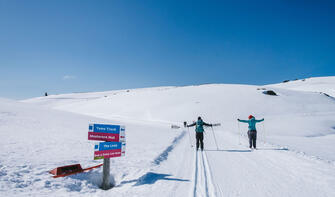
114 145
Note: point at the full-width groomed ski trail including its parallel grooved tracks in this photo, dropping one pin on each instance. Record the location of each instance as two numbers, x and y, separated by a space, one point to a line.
235 170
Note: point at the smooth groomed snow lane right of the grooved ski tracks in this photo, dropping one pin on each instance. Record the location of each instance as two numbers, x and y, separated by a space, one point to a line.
267 171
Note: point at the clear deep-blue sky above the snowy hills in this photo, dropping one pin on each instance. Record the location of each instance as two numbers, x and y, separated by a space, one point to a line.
68 46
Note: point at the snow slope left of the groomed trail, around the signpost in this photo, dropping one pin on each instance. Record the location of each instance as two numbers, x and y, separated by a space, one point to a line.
35 140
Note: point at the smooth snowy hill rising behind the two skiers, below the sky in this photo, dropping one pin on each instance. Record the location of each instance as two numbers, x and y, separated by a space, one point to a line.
297 116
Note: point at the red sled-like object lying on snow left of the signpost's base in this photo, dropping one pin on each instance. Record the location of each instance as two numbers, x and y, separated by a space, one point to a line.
70 170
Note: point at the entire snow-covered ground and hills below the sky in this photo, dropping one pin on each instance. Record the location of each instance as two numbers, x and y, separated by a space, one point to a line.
296 141
